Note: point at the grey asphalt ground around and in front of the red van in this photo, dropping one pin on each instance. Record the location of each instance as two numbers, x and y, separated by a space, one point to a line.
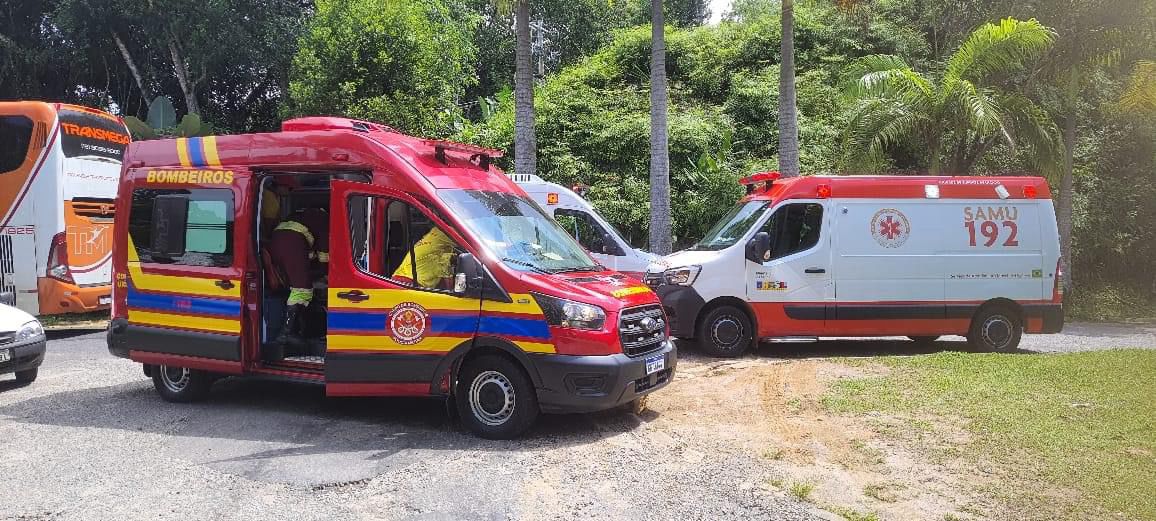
91 441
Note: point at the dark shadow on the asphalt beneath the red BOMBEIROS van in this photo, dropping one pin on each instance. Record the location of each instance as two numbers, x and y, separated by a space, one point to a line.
299 420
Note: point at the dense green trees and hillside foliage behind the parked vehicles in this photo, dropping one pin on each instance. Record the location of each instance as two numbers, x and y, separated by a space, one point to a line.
446 69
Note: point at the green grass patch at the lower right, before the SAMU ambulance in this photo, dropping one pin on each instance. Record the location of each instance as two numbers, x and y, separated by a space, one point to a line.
1083 422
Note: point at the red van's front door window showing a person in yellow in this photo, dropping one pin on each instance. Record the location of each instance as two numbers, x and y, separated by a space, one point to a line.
395 241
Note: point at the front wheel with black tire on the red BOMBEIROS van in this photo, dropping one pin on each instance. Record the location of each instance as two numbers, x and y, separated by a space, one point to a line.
495 398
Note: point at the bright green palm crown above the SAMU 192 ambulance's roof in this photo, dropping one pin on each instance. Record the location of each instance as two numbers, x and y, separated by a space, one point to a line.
962 116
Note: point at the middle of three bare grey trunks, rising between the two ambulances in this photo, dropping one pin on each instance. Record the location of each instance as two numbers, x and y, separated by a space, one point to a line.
661 237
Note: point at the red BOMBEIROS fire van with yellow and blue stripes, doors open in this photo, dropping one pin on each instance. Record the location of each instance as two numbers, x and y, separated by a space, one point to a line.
443 278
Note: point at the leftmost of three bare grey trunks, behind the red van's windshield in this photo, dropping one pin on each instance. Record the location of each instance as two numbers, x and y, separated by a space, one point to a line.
525 143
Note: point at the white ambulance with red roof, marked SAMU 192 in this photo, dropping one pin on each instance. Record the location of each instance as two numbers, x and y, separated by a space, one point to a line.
918 257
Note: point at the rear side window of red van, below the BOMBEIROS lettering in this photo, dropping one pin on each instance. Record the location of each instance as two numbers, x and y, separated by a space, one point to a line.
209 227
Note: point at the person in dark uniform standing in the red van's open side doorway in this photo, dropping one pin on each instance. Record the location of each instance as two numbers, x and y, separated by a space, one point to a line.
300 242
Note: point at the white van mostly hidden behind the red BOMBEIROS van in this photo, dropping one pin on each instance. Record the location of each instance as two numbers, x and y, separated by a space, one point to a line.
580 218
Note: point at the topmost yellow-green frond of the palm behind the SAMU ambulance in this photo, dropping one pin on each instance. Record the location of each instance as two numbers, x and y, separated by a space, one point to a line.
999 48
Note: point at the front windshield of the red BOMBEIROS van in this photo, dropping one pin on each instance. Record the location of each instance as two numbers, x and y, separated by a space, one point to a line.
516 230
